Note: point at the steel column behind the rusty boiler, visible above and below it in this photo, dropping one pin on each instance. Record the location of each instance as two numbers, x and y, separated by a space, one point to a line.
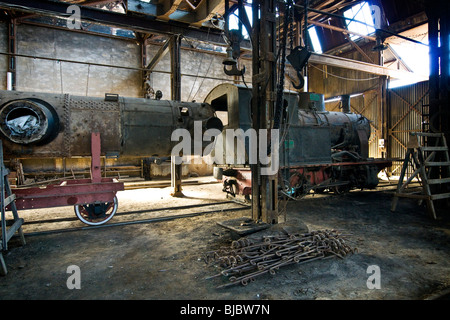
175 82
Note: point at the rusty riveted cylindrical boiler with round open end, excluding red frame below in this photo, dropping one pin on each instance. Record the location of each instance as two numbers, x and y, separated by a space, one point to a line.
60 125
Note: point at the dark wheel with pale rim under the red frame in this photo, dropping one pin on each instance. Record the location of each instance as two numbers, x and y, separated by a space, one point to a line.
95 214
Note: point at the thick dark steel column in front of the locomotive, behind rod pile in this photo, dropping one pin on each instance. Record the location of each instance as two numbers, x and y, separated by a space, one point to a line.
264 187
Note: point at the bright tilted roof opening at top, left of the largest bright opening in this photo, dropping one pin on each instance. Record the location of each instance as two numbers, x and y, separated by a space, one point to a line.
360 12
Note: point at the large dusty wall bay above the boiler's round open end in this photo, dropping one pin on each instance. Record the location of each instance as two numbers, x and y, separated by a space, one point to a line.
77 79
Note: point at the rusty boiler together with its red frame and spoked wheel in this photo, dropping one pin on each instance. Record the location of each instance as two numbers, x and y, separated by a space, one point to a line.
48 125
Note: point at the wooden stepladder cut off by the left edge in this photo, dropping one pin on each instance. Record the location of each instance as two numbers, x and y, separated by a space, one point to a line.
9 227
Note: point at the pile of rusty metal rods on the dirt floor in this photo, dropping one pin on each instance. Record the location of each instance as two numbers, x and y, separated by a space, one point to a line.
247 258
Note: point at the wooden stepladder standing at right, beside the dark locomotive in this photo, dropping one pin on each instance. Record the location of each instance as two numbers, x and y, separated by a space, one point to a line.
423 161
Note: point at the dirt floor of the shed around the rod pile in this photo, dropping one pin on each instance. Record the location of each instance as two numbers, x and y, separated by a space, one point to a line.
165 259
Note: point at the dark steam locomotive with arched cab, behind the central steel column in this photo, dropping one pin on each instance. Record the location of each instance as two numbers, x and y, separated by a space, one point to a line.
319 150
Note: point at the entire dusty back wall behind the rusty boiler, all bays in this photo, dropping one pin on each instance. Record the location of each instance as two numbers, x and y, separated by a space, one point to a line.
40 75
